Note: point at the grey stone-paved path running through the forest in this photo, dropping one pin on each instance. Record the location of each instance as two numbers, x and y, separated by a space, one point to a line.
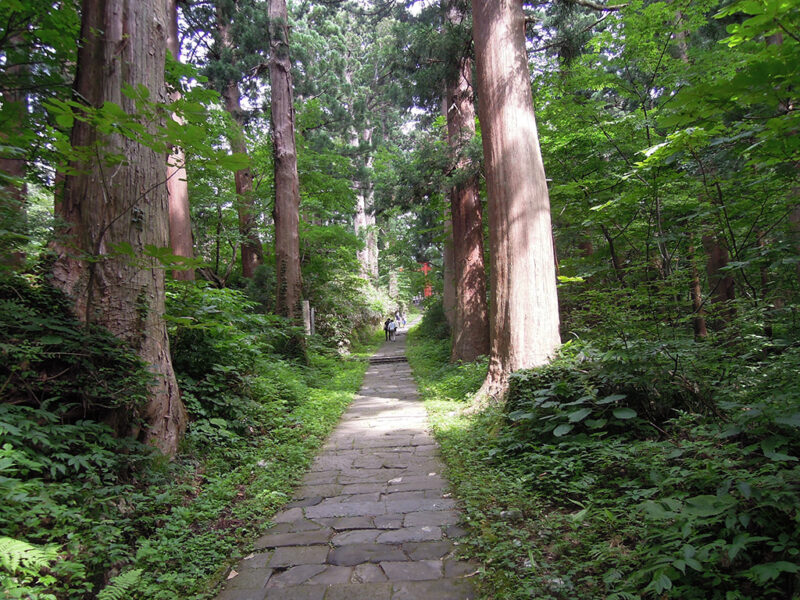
372 519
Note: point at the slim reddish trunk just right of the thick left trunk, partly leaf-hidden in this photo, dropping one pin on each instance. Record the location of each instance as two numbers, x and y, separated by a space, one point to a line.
180 222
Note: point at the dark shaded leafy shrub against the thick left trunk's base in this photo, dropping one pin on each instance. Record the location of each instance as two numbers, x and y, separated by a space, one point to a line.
49 358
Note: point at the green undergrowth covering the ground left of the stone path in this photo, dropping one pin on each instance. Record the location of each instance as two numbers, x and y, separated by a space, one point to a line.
90 513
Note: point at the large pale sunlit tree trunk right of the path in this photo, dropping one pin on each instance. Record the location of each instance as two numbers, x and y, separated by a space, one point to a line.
524 302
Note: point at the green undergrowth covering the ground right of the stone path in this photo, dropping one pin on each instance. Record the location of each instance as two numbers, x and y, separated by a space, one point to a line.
611 475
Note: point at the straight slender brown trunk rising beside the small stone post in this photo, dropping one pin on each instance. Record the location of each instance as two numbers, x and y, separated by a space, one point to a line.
287 190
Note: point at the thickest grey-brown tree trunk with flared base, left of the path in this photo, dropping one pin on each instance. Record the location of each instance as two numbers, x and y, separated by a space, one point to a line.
122 203
